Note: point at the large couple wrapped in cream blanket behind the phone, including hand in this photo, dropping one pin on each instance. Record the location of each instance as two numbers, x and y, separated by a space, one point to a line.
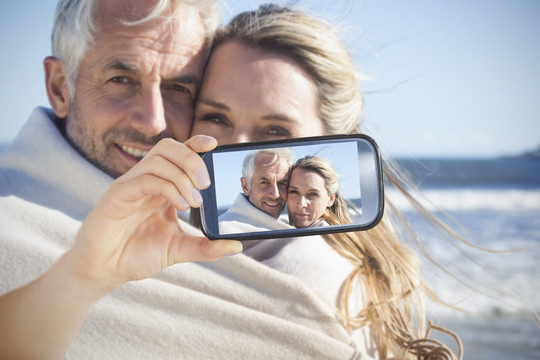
90 191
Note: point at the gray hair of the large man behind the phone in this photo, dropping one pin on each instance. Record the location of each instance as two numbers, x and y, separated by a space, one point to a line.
75 28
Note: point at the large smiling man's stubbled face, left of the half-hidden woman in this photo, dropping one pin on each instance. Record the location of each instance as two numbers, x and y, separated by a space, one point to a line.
136 85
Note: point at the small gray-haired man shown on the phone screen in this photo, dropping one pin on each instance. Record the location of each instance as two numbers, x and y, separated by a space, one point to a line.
265 176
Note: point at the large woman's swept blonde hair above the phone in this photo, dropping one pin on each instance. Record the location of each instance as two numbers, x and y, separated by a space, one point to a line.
315 46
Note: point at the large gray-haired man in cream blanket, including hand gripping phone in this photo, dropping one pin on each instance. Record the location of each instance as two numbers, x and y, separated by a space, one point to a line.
123 76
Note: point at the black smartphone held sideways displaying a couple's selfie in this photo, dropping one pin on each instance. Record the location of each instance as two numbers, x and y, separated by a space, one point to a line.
280 203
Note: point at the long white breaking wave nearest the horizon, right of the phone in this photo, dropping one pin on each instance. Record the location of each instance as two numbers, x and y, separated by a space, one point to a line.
472 199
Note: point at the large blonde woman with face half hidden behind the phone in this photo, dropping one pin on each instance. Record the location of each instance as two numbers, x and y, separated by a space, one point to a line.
277 73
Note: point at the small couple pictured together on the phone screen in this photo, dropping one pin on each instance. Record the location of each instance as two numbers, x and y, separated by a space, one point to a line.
270 181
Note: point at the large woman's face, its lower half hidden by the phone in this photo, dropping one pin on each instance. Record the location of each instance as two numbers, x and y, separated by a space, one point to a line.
250 95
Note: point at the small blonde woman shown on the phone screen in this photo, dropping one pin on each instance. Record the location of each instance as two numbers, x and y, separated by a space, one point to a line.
313 198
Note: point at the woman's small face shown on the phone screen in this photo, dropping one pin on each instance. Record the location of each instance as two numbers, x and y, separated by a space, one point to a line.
307 197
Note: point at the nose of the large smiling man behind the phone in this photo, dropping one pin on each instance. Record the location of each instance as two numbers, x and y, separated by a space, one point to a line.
150 117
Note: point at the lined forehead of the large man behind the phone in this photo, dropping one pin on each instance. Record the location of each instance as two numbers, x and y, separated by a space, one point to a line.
151 44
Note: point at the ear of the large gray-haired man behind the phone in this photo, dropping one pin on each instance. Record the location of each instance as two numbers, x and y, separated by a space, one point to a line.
56 85
